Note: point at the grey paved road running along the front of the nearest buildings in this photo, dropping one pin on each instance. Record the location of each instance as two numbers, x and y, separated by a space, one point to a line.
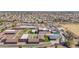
26 45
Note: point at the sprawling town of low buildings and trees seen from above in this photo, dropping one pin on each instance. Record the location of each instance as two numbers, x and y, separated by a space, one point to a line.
35 29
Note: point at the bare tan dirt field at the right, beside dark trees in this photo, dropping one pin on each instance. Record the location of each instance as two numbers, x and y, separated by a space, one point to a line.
72 27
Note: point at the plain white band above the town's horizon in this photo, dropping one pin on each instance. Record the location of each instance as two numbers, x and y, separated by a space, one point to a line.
39 5
